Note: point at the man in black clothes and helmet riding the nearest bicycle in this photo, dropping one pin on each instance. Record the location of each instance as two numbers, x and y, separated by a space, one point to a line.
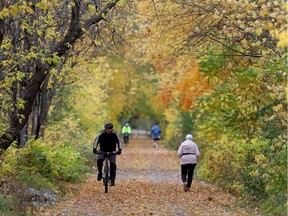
108 139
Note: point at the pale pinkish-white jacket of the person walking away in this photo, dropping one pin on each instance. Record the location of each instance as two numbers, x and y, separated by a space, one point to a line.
189 152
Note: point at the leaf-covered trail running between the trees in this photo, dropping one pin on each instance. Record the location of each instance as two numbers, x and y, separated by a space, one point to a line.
147 183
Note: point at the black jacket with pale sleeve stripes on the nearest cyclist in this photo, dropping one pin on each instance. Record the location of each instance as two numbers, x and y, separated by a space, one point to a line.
108 142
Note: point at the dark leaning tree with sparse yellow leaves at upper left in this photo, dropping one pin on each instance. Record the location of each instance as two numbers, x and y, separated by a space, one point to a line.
36 37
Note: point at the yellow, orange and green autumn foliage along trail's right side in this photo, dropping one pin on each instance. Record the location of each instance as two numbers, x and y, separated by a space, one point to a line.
237 112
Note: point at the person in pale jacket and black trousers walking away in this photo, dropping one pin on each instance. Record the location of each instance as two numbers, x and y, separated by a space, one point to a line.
189 153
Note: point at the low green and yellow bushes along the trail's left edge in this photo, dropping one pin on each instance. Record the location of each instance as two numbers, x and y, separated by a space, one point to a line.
39 173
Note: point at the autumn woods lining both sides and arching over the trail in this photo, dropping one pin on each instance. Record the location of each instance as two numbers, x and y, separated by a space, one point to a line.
216 69
